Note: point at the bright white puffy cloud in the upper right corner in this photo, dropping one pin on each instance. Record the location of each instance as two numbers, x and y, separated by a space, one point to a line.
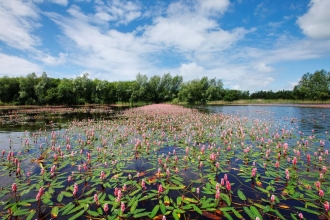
316 22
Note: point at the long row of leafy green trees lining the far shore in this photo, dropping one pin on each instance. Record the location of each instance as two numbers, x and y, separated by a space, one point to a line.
44 90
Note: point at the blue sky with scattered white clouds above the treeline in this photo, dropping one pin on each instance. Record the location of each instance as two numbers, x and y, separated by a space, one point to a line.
249 44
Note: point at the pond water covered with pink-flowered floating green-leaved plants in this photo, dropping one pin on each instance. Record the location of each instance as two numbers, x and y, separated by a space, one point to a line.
144 146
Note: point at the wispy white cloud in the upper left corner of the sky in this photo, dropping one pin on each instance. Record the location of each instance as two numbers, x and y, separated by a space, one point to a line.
18 20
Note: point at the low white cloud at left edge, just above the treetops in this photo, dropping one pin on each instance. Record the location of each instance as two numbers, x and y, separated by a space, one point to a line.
15 66
